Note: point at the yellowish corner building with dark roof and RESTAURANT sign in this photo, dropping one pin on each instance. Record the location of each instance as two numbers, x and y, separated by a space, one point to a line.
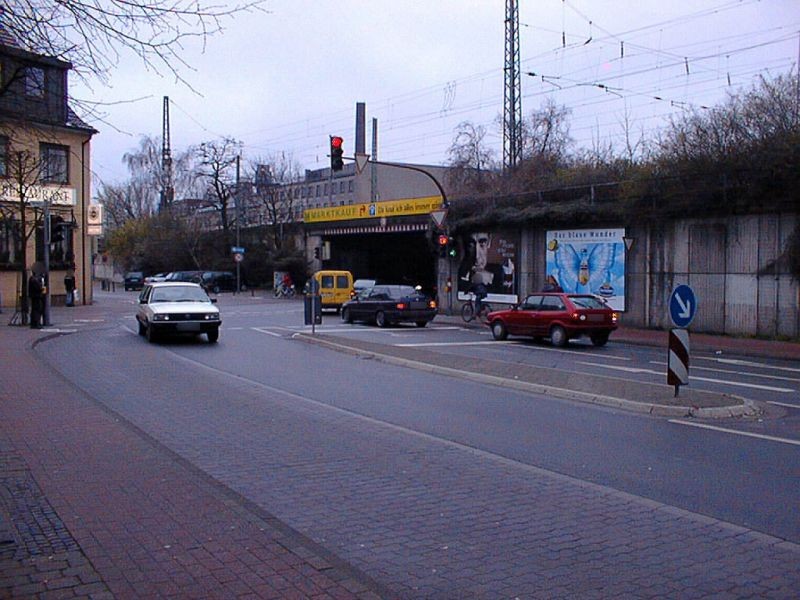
44 168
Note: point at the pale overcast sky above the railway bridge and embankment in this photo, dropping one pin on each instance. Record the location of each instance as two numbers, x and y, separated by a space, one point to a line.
285 79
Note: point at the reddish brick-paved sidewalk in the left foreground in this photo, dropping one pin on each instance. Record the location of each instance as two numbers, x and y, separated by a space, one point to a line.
92 507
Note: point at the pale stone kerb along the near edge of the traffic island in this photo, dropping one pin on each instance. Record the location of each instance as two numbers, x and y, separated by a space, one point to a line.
747 408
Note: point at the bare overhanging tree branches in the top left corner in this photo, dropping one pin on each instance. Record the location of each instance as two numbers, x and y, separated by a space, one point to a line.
92 35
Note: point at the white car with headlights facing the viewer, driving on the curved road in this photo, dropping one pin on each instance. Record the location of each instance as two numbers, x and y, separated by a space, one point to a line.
177 308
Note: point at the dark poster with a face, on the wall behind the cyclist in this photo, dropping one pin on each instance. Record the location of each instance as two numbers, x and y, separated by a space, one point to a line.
489 258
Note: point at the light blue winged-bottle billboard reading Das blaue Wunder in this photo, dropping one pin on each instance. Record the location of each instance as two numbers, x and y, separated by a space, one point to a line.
588 261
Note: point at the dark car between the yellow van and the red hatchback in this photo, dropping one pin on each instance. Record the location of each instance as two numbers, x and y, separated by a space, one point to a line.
385 305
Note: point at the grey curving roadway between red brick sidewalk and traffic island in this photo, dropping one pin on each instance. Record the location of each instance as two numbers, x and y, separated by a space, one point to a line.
431 483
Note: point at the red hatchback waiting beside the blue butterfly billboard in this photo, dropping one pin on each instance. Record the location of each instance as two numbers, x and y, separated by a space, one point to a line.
558 316
